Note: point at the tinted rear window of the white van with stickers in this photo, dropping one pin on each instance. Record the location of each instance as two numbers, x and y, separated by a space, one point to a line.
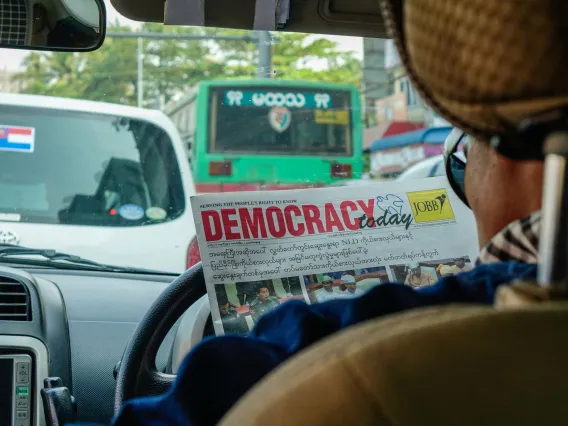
86 169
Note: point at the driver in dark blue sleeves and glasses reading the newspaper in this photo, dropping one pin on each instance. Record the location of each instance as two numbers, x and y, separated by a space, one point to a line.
508 231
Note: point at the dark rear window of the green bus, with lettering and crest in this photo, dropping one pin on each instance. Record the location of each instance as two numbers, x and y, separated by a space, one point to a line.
280 120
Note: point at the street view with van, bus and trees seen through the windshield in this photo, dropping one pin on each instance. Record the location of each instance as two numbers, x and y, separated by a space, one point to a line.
101 151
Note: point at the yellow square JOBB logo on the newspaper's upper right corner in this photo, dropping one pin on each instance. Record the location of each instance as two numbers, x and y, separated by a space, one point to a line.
431 205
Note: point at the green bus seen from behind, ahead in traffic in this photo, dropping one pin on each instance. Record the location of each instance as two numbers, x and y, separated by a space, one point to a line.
270 134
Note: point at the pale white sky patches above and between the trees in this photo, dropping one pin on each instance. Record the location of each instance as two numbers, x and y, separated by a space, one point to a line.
11 59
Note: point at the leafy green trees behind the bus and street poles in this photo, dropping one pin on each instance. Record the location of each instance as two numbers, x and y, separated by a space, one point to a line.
172 66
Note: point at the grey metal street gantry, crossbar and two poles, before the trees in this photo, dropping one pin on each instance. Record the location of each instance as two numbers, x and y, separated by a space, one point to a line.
262 39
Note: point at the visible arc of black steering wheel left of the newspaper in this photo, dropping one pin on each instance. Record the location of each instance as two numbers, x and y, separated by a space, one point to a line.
137 374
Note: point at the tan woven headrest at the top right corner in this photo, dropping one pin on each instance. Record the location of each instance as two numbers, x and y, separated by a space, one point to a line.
485 65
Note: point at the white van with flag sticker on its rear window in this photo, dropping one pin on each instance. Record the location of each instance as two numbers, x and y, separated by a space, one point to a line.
106 182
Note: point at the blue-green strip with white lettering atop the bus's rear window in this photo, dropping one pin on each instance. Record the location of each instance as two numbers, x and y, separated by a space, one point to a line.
278 99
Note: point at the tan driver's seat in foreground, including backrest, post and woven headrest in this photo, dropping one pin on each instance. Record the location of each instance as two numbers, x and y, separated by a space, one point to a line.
495 69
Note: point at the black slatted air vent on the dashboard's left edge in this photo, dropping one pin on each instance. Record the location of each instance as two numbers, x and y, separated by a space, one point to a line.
14 301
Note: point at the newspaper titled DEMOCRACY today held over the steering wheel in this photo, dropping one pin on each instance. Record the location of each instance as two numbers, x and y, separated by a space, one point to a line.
262 249
